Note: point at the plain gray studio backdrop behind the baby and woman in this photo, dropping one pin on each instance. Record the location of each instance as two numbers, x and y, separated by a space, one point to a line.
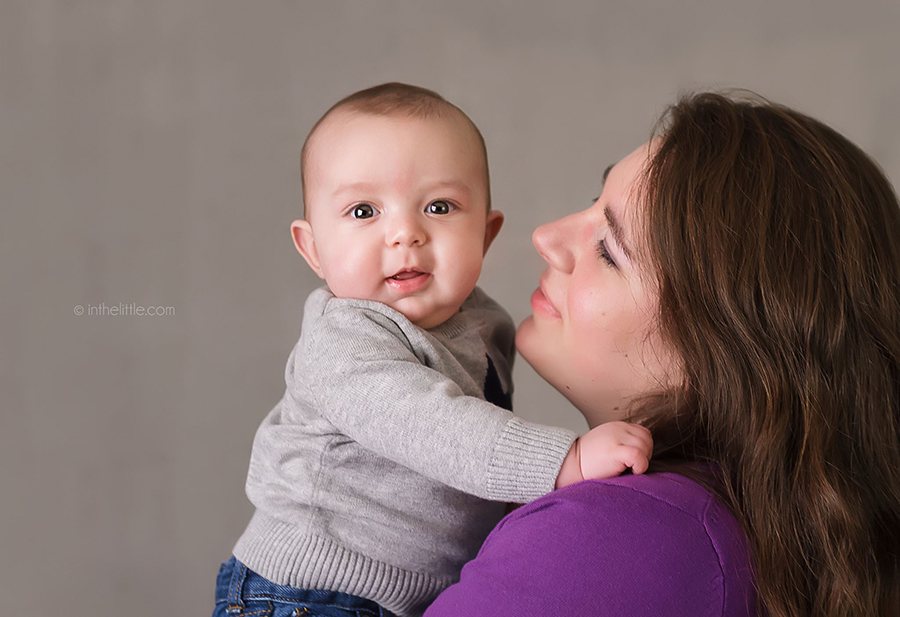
150 159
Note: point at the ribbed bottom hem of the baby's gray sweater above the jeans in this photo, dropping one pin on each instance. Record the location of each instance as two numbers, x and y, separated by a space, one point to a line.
284 554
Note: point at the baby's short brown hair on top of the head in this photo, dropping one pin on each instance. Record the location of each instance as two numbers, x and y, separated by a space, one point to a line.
395 99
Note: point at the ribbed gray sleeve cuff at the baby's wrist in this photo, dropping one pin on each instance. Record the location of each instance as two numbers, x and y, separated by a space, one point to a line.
527 460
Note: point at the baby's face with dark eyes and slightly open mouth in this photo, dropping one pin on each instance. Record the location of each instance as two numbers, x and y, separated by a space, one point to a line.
398 209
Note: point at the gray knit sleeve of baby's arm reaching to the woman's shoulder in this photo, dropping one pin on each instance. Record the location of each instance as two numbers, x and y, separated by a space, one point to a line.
368 382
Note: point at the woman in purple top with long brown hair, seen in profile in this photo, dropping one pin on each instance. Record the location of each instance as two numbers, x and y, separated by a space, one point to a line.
736 287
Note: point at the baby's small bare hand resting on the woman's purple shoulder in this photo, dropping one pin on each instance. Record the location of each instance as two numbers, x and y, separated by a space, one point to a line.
606 451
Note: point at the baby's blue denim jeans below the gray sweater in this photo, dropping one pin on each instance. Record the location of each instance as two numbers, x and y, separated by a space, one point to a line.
241 592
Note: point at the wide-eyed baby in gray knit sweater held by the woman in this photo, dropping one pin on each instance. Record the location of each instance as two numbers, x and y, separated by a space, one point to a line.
393 451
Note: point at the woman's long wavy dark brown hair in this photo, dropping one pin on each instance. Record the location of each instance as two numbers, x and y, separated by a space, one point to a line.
777 247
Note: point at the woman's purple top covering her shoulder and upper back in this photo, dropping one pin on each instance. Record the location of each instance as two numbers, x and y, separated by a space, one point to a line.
656 544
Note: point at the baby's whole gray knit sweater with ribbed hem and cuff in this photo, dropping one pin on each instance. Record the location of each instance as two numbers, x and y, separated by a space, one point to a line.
382 469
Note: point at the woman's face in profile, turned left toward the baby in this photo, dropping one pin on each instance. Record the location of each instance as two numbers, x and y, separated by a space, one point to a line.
592 334
